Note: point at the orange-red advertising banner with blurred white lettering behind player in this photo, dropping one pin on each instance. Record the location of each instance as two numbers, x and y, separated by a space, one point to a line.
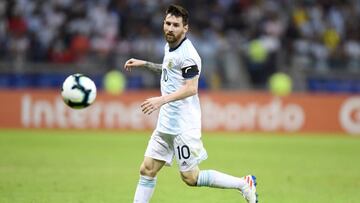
228 111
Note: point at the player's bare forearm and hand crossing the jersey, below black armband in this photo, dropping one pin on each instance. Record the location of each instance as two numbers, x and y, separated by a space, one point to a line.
190 88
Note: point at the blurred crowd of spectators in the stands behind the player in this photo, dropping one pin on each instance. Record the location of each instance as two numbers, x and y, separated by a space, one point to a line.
241 42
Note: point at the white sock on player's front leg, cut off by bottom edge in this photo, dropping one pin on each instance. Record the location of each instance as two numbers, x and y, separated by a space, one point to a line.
144 189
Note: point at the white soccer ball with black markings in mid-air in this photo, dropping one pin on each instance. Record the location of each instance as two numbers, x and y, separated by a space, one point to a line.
78 91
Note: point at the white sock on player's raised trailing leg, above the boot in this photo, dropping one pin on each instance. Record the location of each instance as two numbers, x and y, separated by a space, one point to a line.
212 178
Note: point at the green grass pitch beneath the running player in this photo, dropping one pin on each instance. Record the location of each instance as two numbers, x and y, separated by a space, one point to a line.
57 166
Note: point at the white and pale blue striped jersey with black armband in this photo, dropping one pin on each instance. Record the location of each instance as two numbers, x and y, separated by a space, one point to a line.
179 64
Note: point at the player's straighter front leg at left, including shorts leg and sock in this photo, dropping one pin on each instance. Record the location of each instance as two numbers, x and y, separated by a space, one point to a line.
158 153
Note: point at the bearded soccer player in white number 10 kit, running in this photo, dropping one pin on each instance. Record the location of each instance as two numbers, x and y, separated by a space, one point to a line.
178 130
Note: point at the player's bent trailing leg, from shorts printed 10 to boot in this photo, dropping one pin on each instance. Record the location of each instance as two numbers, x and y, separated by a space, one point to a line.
189 152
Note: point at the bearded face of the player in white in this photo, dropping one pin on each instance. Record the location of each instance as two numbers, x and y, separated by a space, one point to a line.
174 29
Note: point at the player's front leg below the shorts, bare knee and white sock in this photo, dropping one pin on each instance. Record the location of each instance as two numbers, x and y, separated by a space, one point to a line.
146 185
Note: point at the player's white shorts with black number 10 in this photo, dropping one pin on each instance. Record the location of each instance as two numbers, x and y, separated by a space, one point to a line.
187 148
